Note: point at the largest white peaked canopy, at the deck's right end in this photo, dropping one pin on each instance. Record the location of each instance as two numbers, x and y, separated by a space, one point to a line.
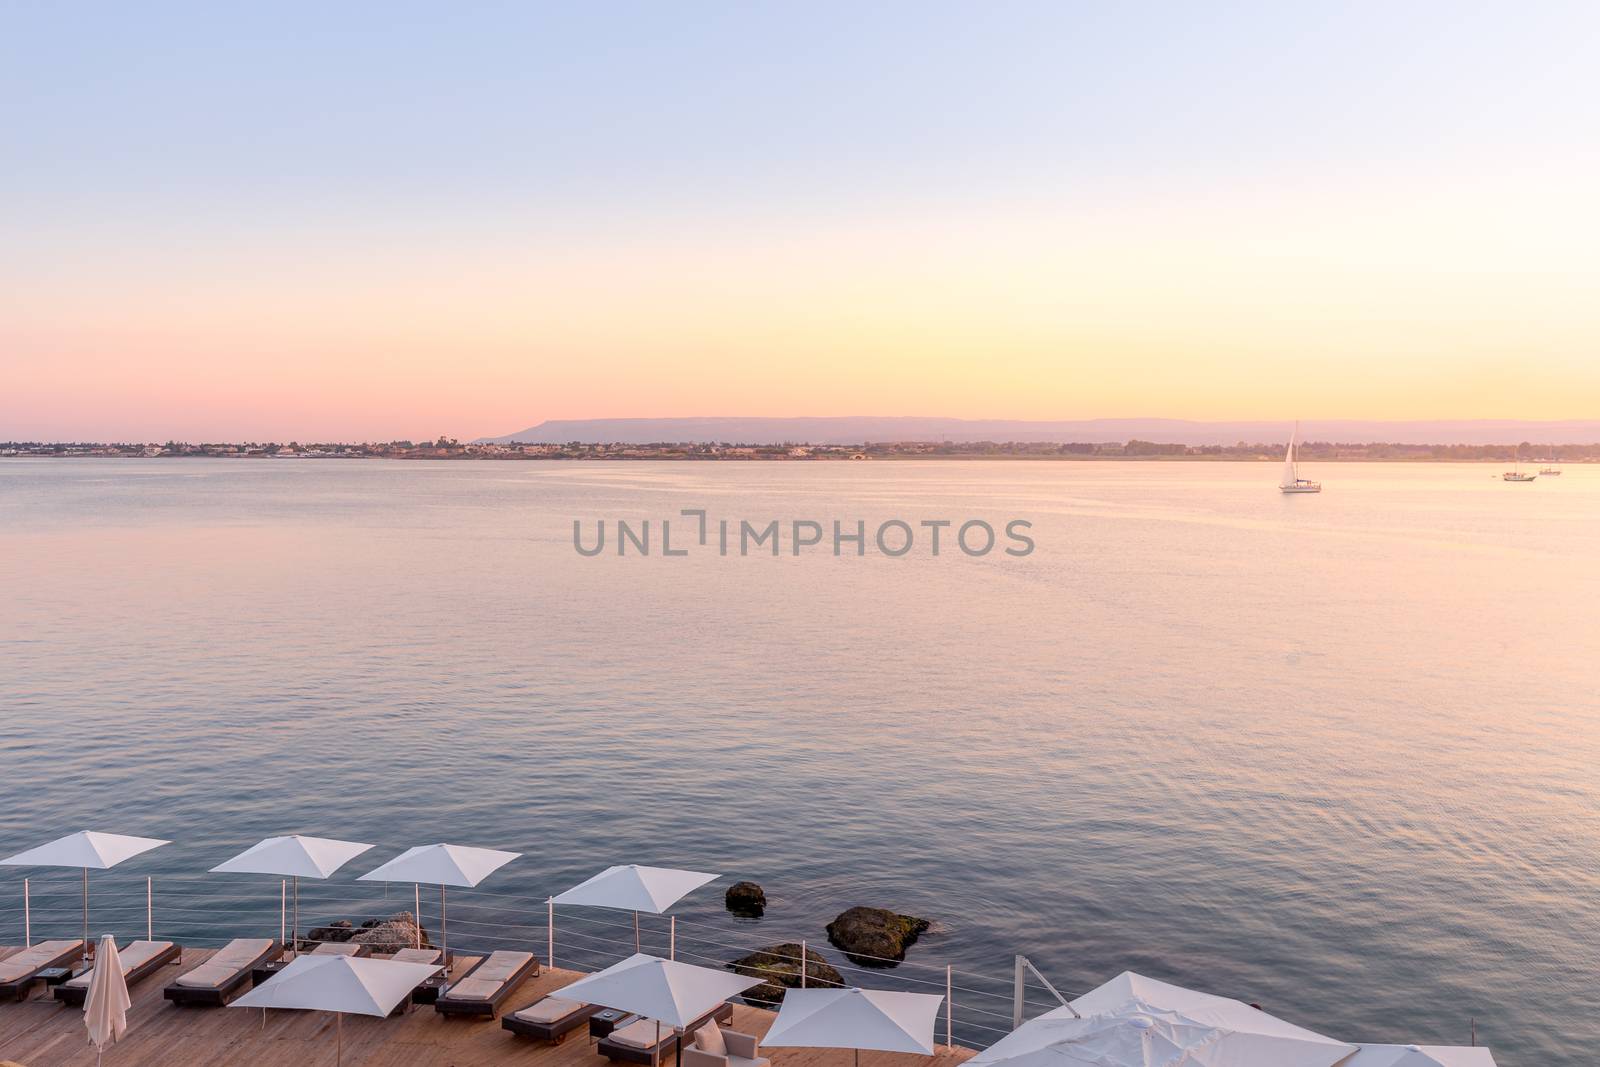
1134 1021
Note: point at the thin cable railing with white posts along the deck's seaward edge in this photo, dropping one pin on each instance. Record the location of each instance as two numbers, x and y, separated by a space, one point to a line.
190 913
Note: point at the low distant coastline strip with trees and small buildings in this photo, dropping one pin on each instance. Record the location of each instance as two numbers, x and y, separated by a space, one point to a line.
722 452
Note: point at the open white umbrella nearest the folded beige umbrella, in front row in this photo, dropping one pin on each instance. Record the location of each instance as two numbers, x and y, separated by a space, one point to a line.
340 985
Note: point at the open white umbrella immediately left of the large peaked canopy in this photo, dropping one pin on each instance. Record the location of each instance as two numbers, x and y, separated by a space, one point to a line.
876 1020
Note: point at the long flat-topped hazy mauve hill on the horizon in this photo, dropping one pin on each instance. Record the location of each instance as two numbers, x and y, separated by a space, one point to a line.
862 430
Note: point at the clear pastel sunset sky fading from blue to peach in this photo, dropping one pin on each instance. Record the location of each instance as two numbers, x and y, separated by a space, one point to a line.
367 222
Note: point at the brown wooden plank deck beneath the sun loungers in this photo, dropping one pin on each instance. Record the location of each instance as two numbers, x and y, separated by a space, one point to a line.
44 1034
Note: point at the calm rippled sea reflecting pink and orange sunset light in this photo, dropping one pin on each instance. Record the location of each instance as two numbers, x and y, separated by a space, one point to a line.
1337 756
